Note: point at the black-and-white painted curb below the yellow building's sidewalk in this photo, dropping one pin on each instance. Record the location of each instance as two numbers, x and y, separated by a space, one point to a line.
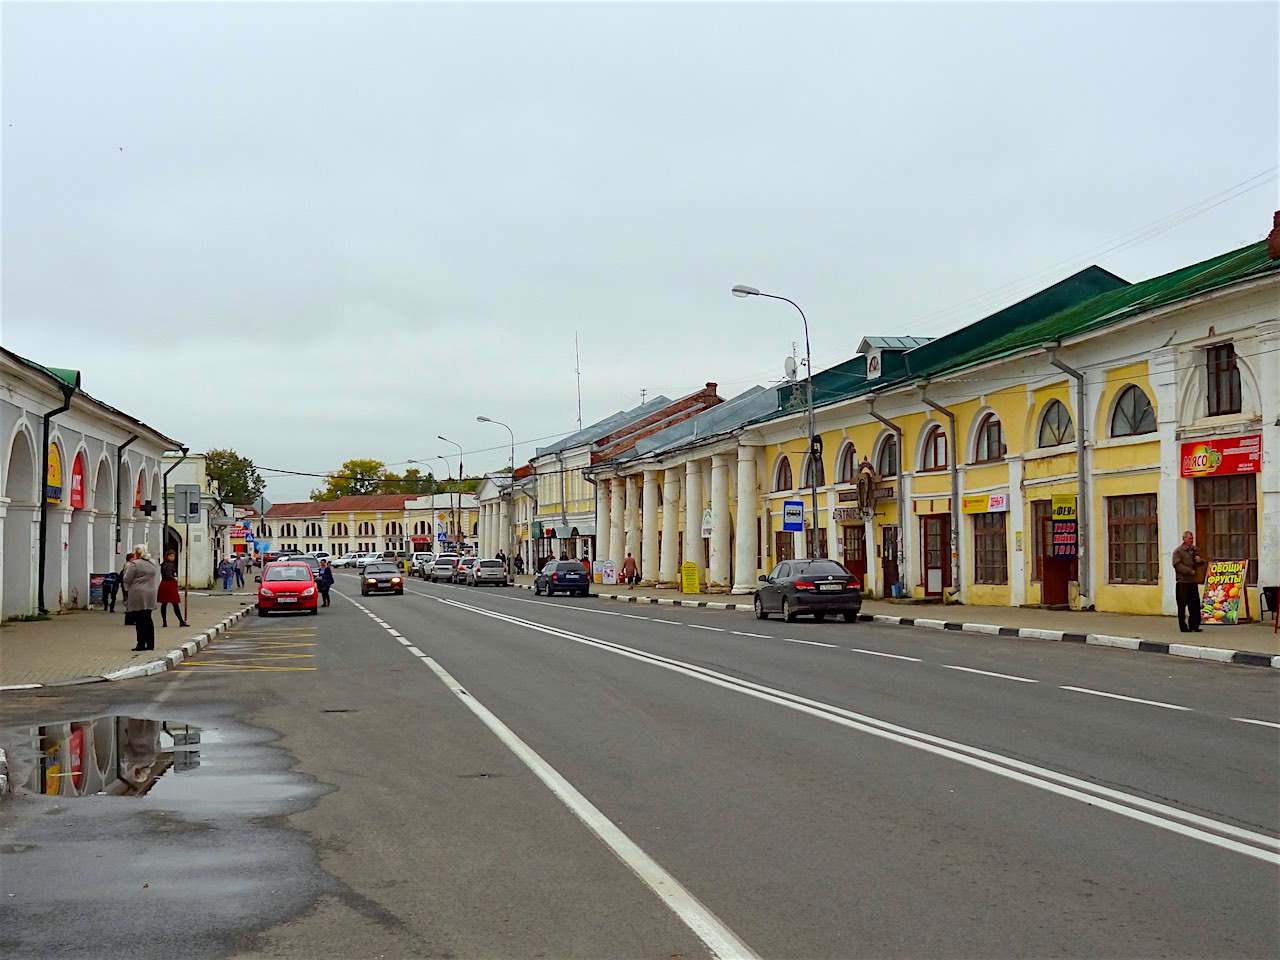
1123 643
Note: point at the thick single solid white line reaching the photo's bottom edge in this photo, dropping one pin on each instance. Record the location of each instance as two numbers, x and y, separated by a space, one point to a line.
710 929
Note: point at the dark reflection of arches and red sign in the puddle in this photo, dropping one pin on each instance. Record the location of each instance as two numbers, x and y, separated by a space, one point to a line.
112 756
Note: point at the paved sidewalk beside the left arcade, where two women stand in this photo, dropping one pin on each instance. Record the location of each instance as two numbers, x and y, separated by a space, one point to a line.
90 646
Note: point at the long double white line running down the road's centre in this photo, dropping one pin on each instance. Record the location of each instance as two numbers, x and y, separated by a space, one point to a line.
1133 807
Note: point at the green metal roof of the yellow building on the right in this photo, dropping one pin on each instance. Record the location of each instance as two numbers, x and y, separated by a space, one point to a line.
1087 301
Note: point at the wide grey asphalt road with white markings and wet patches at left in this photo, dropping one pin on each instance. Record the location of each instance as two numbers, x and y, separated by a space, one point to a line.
482 774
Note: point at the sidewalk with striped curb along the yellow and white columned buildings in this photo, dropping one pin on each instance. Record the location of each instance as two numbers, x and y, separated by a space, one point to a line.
1252 644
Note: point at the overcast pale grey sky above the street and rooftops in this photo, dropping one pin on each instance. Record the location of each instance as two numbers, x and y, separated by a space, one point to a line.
313 232
